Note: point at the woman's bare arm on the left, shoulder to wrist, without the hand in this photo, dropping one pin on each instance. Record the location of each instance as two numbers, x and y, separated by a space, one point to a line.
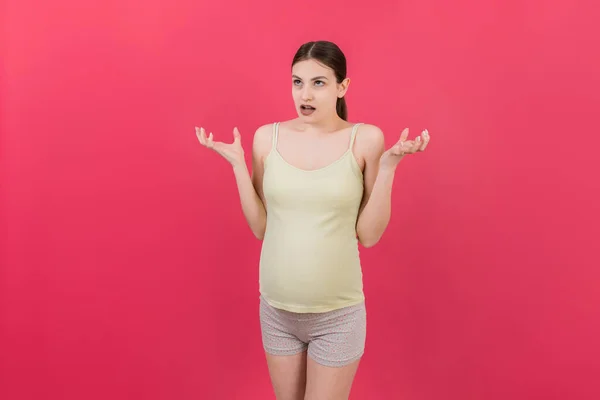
250 185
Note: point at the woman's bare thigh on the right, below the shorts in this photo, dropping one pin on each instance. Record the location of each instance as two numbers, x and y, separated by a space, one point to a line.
329 383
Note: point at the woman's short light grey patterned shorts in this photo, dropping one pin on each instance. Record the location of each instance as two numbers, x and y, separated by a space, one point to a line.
334 338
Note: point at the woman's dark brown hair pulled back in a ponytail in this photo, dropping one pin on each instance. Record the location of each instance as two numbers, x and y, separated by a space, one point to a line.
330 55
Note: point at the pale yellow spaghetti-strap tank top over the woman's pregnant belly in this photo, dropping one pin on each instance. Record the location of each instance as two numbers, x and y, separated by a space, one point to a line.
309 259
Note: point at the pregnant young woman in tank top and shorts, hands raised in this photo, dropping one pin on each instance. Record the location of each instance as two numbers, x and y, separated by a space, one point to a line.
319 186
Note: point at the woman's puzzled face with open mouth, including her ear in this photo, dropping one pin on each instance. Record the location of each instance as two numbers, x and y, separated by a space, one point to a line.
315 90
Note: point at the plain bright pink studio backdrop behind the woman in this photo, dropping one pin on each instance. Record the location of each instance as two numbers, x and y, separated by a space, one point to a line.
128 271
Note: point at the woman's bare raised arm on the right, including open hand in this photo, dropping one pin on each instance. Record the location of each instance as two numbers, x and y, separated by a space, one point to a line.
379 171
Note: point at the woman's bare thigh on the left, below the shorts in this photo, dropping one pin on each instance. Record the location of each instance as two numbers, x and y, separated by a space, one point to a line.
288 375
